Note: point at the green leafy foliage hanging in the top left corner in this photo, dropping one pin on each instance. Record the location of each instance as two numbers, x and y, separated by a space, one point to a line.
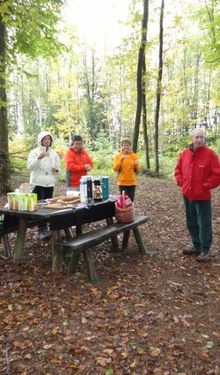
32 27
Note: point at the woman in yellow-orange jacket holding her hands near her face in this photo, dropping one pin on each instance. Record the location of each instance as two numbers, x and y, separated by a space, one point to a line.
127 165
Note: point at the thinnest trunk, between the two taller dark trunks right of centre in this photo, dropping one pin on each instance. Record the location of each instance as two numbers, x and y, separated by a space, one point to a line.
144 118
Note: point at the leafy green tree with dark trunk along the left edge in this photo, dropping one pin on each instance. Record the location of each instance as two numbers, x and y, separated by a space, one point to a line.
29 28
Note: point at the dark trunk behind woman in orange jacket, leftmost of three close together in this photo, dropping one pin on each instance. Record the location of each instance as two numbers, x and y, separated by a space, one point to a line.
140 75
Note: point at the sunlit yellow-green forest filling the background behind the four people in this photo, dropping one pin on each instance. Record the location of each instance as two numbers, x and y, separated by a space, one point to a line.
159 83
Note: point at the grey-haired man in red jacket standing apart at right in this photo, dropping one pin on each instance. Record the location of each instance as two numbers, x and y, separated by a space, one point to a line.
197 172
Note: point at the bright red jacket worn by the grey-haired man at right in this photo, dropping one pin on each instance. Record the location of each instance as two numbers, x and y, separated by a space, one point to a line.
197 171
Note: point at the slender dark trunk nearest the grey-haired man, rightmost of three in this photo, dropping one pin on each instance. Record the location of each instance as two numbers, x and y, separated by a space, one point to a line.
158 94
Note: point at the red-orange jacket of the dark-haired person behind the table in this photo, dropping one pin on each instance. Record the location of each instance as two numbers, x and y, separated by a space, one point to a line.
75 166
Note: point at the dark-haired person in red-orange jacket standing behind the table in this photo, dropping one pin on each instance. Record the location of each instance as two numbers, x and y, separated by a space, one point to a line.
78 163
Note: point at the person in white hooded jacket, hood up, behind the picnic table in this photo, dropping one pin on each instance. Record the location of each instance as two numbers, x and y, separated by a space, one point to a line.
44 164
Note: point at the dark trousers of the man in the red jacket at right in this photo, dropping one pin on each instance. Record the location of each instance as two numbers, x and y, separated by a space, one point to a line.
199 223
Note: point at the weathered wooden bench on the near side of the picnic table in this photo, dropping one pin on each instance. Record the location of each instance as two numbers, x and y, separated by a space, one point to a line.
84 243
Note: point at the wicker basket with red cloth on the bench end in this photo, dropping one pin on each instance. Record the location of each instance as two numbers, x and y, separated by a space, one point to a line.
124 209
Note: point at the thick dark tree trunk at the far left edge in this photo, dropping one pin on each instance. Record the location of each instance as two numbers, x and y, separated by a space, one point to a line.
4 153
